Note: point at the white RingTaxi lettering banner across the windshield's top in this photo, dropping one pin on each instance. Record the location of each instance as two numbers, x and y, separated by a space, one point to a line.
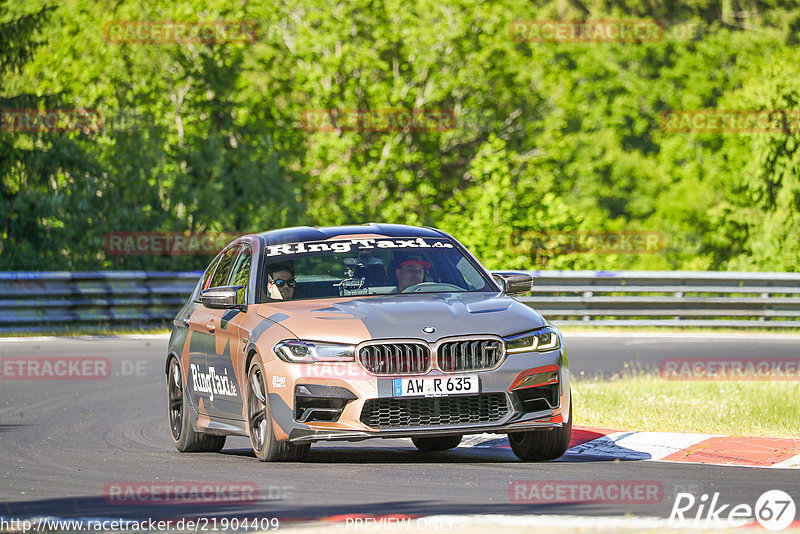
308 248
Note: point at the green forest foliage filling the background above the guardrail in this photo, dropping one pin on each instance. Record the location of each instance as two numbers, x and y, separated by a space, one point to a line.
547 137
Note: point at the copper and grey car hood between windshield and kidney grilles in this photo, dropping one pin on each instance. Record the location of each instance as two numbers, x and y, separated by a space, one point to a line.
356 319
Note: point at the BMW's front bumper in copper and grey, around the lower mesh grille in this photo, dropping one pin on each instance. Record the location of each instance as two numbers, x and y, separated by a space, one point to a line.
349 387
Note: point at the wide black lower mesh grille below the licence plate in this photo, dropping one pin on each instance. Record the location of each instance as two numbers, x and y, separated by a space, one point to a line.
434 411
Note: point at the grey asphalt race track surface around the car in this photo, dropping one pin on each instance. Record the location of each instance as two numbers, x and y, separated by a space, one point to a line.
64 443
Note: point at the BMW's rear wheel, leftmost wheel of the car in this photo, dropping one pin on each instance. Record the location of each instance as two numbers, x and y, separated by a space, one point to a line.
185 438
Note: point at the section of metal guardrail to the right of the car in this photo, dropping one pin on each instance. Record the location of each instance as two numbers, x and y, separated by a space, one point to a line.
667 298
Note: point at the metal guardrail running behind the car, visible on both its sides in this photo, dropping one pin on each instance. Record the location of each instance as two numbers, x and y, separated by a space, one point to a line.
50 301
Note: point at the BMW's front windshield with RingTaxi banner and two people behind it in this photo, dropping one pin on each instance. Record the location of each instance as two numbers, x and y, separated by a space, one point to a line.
358 267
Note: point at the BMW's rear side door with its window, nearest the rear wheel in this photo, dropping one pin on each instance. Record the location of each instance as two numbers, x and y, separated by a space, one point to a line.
208 382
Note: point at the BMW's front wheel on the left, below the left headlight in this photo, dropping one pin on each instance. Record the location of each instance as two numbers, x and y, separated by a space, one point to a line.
262 436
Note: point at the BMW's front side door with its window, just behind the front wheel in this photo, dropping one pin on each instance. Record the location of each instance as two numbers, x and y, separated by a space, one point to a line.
224 356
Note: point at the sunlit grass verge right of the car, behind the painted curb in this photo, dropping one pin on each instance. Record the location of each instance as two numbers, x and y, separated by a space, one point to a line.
646 402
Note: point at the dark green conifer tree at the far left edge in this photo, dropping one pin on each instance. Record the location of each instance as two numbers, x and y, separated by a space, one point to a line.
39 167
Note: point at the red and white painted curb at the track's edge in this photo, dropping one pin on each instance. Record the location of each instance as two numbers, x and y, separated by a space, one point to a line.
604 443
